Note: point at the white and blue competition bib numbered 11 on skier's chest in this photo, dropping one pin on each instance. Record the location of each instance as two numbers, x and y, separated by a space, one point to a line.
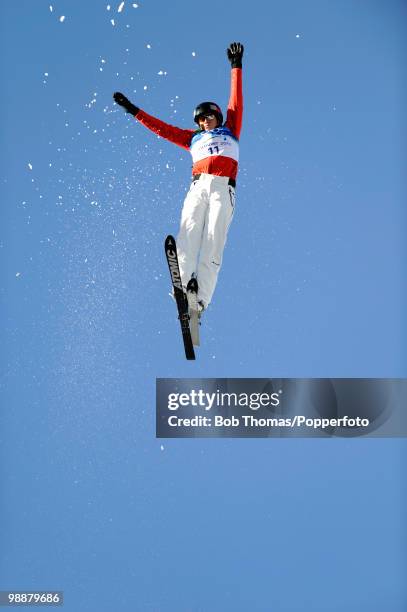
219 141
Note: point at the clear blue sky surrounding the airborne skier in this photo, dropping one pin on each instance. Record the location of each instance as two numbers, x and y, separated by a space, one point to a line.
313 285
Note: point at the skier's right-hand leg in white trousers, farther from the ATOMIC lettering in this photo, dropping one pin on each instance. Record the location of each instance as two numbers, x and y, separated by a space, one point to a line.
218 218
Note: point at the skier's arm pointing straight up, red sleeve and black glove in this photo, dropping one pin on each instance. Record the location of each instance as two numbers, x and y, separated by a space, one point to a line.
235 106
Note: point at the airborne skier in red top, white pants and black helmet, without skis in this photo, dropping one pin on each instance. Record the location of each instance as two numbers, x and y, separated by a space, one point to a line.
209 205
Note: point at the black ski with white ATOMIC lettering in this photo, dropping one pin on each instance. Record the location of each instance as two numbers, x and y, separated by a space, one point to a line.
180 297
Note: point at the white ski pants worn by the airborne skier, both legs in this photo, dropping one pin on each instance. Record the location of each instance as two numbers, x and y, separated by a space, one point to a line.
205 219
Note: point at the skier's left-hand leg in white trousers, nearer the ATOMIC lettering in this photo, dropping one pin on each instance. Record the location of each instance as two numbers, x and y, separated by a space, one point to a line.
190 233
